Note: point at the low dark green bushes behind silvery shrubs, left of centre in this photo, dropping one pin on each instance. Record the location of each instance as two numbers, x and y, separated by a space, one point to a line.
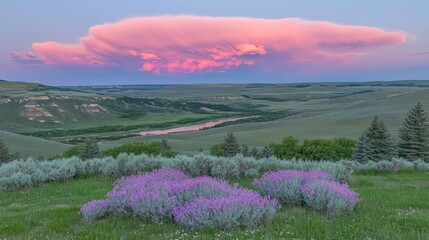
150 148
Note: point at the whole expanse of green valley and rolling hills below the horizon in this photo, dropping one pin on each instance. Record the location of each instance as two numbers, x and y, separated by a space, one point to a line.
318 110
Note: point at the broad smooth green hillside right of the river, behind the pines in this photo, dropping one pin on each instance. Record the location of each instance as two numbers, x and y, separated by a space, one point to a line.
323 111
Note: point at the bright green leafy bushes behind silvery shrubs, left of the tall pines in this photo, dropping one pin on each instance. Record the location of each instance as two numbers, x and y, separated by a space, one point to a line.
316 149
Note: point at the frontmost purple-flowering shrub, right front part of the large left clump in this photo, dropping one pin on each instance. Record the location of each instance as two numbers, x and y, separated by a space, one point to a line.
244 208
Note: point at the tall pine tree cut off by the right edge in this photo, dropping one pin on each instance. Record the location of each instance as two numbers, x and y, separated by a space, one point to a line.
414 135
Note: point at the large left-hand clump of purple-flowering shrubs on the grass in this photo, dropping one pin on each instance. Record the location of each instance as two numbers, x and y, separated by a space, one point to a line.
160 195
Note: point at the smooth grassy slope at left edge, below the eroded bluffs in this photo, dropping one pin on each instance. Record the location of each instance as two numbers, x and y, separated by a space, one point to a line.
31 146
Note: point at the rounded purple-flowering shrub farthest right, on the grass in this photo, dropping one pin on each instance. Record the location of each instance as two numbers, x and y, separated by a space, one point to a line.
329 196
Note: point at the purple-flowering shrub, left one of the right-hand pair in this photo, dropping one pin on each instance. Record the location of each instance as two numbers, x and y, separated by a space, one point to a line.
285 185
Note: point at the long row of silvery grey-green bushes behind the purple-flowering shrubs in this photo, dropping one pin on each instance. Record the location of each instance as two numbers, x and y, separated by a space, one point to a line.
24 173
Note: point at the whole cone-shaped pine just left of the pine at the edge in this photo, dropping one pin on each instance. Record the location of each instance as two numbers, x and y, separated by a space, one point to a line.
375 143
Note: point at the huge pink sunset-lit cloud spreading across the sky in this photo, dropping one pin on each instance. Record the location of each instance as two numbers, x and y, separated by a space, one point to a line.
188 44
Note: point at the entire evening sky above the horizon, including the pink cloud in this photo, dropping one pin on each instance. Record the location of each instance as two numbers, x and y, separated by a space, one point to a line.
101 42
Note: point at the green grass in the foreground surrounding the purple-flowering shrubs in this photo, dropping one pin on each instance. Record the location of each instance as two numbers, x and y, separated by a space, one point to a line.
393 206
